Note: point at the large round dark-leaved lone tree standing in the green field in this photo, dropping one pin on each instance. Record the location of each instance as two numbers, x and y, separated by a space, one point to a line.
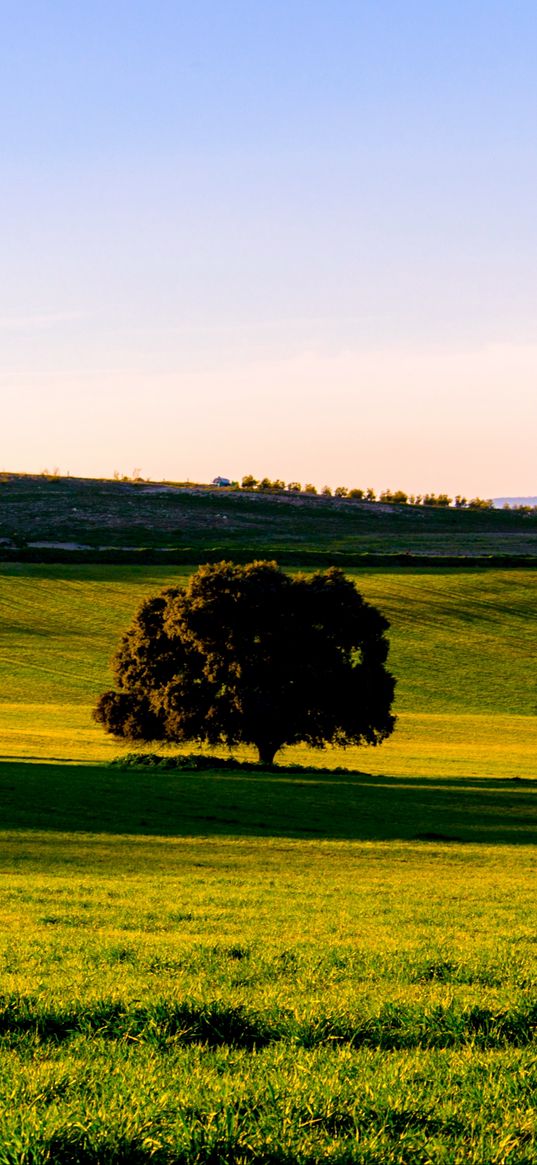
251 655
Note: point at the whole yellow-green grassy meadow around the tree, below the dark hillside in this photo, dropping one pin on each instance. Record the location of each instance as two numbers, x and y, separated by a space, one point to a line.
294 968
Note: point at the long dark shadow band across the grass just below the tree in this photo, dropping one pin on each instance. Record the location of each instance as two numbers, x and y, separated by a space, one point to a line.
310 806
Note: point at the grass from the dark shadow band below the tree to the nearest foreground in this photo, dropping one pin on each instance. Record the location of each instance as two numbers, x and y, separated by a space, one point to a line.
196 999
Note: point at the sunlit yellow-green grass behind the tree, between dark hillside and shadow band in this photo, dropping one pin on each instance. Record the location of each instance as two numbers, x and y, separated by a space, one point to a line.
463 648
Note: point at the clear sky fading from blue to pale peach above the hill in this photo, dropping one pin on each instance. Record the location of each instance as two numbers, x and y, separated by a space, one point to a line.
289 238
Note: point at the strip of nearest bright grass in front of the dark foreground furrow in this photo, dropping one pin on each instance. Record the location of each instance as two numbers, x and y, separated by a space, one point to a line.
280 1106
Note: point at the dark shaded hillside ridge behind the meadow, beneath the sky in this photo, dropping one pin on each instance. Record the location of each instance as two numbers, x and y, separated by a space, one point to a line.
54 518
